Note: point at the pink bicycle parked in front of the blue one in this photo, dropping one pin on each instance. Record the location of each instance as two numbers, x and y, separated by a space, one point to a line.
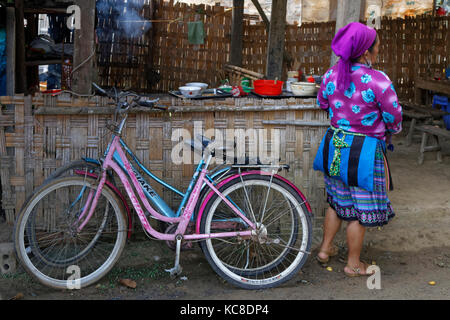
253 226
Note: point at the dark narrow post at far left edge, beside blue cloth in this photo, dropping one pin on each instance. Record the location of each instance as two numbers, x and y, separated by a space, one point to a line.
10 51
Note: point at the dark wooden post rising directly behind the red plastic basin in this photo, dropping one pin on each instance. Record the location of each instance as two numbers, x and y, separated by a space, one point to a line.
275 50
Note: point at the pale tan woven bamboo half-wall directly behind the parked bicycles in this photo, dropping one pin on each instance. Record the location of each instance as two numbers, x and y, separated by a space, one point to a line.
34 145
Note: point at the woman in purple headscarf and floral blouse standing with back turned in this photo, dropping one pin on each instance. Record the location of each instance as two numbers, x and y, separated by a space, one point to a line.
363 106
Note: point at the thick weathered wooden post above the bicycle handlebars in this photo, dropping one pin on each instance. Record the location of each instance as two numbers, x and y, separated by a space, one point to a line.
84 50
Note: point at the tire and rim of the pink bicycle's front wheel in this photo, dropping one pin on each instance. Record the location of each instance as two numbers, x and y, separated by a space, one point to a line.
38 266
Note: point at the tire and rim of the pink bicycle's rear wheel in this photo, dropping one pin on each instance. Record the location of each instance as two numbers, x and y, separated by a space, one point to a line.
269 274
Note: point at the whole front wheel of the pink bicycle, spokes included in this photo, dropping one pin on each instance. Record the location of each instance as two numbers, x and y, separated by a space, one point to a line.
49 244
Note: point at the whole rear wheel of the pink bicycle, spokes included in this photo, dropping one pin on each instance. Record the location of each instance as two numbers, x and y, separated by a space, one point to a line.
279 246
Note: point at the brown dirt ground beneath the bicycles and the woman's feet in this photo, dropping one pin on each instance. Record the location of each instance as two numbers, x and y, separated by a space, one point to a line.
412 250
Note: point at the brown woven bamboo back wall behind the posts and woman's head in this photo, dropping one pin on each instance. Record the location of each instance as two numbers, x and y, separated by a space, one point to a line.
409 47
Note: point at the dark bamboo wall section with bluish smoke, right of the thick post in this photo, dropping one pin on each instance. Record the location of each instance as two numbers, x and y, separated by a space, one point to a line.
123 56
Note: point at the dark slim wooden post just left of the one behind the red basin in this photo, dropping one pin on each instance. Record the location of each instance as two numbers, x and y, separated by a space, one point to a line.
237 29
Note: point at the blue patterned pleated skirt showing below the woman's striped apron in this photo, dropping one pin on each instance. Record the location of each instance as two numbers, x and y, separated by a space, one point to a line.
371 209
